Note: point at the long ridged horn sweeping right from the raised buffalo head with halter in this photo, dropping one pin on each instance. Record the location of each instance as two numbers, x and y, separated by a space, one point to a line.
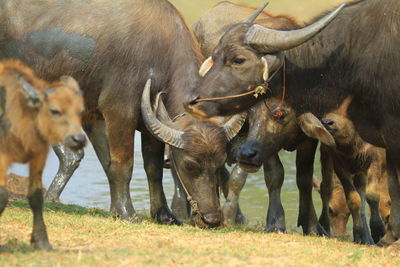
270 41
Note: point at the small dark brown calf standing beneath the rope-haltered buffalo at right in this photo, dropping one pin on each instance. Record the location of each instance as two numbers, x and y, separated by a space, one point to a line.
353 160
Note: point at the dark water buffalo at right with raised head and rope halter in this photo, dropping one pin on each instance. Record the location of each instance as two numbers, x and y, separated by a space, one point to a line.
344 60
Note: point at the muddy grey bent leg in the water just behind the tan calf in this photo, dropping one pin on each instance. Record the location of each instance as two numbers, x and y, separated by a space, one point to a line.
69 161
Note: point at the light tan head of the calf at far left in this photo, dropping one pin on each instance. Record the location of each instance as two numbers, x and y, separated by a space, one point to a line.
59 108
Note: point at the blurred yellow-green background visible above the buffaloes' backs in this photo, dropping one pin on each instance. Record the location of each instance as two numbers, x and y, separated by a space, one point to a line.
303 10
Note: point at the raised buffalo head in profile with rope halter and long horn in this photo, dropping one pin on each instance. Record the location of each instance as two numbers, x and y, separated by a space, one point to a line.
245 58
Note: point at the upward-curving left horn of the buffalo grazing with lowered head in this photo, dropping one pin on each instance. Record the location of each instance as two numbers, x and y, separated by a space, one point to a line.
158 129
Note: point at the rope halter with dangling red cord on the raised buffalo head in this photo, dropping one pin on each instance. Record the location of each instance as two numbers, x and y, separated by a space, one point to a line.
259 90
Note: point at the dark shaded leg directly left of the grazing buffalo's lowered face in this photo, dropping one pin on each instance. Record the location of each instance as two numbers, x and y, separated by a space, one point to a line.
153 159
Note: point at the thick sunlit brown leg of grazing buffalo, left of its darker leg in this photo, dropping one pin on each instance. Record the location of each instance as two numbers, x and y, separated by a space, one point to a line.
116 159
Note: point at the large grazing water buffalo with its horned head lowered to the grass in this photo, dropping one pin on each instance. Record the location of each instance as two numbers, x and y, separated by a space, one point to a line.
112 59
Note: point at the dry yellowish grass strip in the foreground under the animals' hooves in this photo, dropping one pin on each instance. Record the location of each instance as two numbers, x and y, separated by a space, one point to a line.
89 237
